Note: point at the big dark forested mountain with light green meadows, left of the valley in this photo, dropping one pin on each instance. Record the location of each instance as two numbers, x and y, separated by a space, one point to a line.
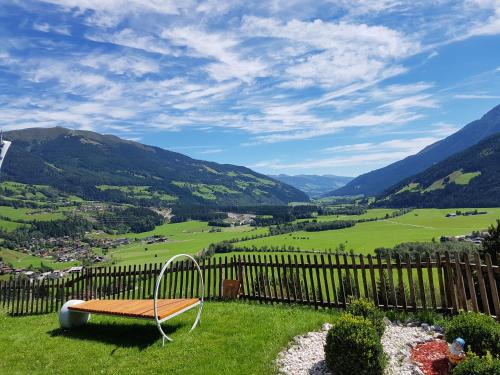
107 168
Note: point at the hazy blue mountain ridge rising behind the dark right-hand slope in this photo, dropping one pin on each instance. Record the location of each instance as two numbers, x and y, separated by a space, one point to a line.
375 182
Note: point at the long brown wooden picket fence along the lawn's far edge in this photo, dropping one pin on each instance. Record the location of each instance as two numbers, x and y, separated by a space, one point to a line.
446 283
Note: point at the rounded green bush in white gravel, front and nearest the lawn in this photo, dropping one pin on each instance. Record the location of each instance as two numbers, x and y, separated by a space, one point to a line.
353 347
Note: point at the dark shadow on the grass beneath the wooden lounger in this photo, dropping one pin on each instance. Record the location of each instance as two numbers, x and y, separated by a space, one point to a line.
136 335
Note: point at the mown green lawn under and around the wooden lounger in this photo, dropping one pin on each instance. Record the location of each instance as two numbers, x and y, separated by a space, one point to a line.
234 338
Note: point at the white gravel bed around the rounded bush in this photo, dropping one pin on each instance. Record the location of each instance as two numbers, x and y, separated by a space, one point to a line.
305 355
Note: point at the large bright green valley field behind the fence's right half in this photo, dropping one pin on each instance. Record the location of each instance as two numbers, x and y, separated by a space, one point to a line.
418 225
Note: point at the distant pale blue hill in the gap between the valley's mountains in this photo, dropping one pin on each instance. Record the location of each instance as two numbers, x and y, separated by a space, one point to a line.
313 185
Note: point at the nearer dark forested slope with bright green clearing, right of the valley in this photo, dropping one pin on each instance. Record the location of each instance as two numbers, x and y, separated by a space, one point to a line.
468 179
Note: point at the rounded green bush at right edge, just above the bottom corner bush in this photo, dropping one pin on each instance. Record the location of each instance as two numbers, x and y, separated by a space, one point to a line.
480 332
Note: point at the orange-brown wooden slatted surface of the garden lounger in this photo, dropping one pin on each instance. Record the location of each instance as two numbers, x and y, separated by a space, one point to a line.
135 308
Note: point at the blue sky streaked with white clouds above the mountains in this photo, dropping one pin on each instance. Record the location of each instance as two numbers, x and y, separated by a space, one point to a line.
329 87
